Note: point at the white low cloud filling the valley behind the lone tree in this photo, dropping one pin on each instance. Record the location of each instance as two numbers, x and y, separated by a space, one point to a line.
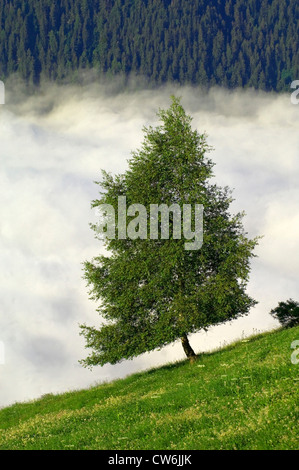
54 144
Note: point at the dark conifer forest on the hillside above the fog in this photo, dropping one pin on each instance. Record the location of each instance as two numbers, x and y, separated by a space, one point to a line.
226 42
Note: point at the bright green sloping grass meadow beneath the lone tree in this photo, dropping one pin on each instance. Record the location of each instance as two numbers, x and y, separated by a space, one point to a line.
242 397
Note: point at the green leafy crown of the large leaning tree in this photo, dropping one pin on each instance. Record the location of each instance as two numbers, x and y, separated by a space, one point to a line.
152 292
